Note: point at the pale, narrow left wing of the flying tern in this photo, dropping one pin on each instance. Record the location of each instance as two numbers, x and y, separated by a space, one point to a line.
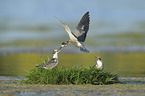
71 35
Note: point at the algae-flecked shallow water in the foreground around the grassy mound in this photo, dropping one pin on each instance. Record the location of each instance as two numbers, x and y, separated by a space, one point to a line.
11 86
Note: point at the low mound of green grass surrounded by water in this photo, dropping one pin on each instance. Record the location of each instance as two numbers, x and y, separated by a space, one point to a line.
74 75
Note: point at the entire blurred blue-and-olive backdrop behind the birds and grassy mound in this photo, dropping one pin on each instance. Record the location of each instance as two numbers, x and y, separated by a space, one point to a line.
31 27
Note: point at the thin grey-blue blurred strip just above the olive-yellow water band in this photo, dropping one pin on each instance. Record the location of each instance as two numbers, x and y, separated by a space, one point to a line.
70 50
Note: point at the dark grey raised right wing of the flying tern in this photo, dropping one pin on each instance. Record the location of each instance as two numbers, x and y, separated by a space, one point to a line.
82 28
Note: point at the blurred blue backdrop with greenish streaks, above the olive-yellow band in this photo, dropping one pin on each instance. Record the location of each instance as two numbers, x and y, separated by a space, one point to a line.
27 25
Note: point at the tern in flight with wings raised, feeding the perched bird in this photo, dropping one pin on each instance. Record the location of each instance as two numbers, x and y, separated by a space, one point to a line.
79 37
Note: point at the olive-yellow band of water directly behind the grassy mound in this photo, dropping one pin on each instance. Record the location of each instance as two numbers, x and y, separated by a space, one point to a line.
124 64
